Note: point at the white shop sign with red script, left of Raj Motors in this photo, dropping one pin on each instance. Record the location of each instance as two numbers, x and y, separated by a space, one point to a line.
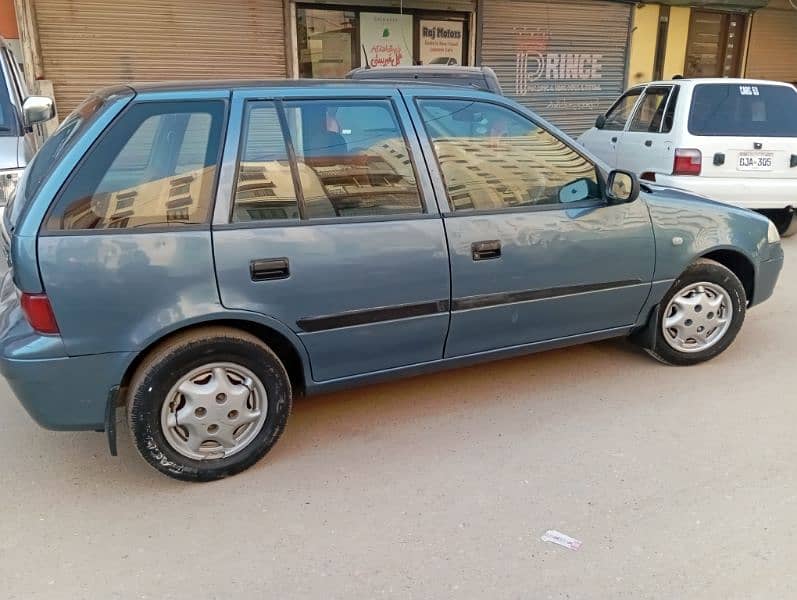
386 39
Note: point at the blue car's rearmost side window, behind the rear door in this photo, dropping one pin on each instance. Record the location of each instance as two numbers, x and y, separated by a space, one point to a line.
154 167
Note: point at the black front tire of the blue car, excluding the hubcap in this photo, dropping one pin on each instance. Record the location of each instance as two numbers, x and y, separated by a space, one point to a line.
702 270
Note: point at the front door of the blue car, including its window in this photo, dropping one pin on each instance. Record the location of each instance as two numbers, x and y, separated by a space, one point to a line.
536 252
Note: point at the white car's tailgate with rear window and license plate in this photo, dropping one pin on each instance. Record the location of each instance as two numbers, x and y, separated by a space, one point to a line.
745 130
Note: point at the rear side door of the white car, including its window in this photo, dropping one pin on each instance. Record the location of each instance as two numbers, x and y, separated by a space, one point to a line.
646 145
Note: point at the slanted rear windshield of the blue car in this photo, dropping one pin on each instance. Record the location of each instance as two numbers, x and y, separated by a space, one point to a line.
51 153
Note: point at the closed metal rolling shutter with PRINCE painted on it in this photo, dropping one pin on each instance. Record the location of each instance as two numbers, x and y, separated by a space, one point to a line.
564 60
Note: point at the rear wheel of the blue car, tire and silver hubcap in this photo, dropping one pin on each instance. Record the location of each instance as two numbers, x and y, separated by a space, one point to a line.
208 404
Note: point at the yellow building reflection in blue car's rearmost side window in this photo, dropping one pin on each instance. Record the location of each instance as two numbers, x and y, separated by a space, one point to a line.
186 196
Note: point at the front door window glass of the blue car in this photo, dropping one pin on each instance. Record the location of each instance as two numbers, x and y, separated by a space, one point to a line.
494 158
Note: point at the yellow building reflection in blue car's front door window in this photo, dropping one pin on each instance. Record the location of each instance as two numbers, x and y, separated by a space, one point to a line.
485 173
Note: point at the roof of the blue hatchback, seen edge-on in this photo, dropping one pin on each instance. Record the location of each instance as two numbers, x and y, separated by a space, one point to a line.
243 84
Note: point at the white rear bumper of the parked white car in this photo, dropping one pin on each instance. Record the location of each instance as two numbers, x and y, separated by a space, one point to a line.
740 191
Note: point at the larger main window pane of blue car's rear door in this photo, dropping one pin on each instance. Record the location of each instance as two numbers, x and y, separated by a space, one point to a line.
352 159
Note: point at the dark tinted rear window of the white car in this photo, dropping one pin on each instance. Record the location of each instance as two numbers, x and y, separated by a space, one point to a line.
743 110
